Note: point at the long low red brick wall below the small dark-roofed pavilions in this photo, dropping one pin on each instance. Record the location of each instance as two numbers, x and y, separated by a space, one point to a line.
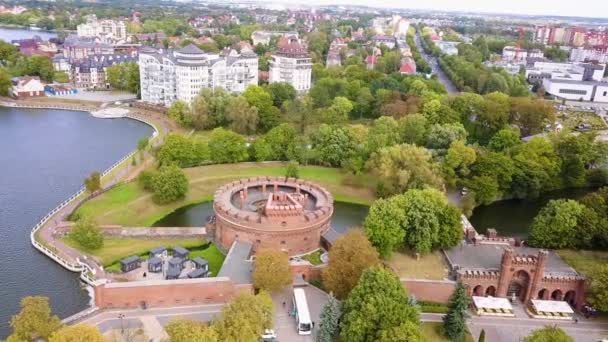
167 292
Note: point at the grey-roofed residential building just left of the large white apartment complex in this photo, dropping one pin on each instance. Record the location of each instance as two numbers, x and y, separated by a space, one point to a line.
90 72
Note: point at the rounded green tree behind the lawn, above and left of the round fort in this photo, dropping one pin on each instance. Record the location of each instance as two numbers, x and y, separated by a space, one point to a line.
227 147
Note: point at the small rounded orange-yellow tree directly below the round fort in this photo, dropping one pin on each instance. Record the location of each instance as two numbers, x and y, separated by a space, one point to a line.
271 270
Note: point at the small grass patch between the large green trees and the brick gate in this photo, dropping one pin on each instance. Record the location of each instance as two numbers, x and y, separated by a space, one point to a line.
431 266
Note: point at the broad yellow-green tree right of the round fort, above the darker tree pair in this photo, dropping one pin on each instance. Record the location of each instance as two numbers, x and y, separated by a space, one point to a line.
403 167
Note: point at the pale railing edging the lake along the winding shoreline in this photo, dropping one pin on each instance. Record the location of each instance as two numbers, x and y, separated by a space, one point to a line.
87 272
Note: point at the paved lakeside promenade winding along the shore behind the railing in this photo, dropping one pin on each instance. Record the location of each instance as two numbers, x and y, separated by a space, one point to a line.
48 231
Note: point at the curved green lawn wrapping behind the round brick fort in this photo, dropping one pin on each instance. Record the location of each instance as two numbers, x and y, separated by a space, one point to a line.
130 205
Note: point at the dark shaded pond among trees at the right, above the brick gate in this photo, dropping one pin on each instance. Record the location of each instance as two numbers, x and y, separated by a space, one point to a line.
514 217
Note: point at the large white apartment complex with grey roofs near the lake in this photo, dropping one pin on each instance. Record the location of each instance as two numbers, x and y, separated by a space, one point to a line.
170 75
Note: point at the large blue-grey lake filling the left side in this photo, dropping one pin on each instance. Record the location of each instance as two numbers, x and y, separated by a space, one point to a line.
44 157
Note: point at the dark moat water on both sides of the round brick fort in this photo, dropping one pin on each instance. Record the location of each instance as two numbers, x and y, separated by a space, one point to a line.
346 215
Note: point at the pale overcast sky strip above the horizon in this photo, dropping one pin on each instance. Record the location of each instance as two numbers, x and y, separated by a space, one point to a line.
581 8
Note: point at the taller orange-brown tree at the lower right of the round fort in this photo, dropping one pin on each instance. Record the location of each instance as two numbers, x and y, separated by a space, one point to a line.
351 254
